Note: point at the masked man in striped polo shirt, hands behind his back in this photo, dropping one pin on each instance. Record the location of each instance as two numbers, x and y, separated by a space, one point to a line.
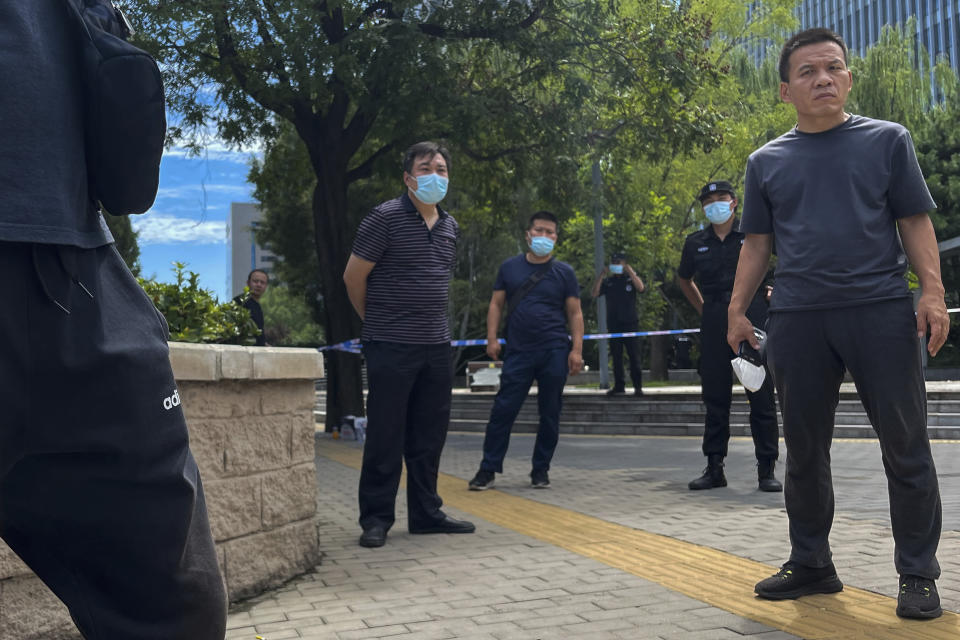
398 279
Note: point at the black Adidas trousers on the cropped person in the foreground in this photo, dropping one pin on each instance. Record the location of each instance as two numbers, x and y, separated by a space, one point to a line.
99 493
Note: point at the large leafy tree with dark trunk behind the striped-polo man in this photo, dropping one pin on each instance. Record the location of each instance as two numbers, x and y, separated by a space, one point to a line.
506 81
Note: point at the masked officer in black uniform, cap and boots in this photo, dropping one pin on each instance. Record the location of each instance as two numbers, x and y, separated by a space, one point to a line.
711 254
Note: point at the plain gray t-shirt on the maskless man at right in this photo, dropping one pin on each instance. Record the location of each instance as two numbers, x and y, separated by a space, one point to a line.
831 200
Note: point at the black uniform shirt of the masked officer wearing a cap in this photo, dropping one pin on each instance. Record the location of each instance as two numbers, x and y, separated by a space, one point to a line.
714 262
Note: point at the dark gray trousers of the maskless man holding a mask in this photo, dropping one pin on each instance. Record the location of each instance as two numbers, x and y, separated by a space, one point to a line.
807 352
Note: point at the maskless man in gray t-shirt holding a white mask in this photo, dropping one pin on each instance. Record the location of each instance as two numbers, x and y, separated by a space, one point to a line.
845 201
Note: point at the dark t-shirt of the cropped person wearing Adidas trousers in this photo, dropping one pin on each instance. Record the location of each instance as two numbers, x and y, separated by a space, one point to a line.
43 175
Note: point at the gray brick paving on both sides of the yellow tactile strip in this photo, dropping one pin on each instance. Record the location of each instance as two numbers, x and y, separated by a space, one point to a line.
498 584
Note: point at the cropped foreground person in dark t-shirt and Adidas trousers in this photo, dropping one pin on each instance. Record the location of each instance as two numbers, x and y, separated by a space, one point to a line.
99 493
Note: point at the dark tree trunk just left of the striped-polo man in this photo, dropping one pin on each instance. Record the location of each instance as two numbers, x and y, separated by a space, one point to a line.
332 236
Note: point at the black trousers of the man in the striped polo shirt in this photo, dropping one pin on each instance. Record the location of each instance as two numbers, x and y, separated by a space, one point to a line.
408 413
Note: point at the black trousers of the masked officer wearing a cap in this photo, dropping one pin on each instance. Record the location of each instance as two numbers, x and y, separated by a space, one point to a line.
716 377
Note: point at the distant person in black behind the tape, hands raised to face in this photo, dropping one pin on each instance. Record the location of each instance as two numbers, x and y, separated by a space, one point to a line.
621 284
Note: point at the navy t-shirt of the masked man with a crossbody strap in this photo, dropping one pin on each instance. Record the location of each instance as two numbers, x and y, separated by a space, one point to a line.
540 319
